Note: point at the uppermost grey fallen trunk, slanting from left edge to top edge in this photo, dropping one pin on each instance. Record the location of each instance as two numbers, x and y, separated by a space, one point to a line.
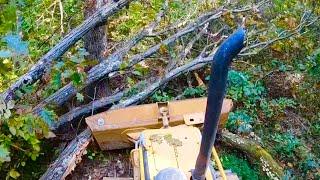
44 64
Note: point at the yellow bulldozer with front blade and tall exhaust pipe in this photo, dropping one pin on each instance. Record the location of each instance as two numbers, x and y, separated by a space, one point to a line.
166 136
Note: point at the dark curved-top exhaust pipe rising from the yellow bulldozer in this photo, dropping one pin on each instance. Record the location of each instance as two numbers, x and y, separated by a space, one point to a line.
217 87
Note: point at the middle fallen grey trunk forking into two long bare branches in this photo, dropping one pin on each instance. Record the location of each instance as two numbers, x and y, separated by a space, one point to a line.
113 62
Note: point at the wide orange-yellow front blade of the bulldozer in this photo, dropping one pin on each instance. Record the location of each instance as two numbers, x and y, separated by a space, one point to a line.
111 128
